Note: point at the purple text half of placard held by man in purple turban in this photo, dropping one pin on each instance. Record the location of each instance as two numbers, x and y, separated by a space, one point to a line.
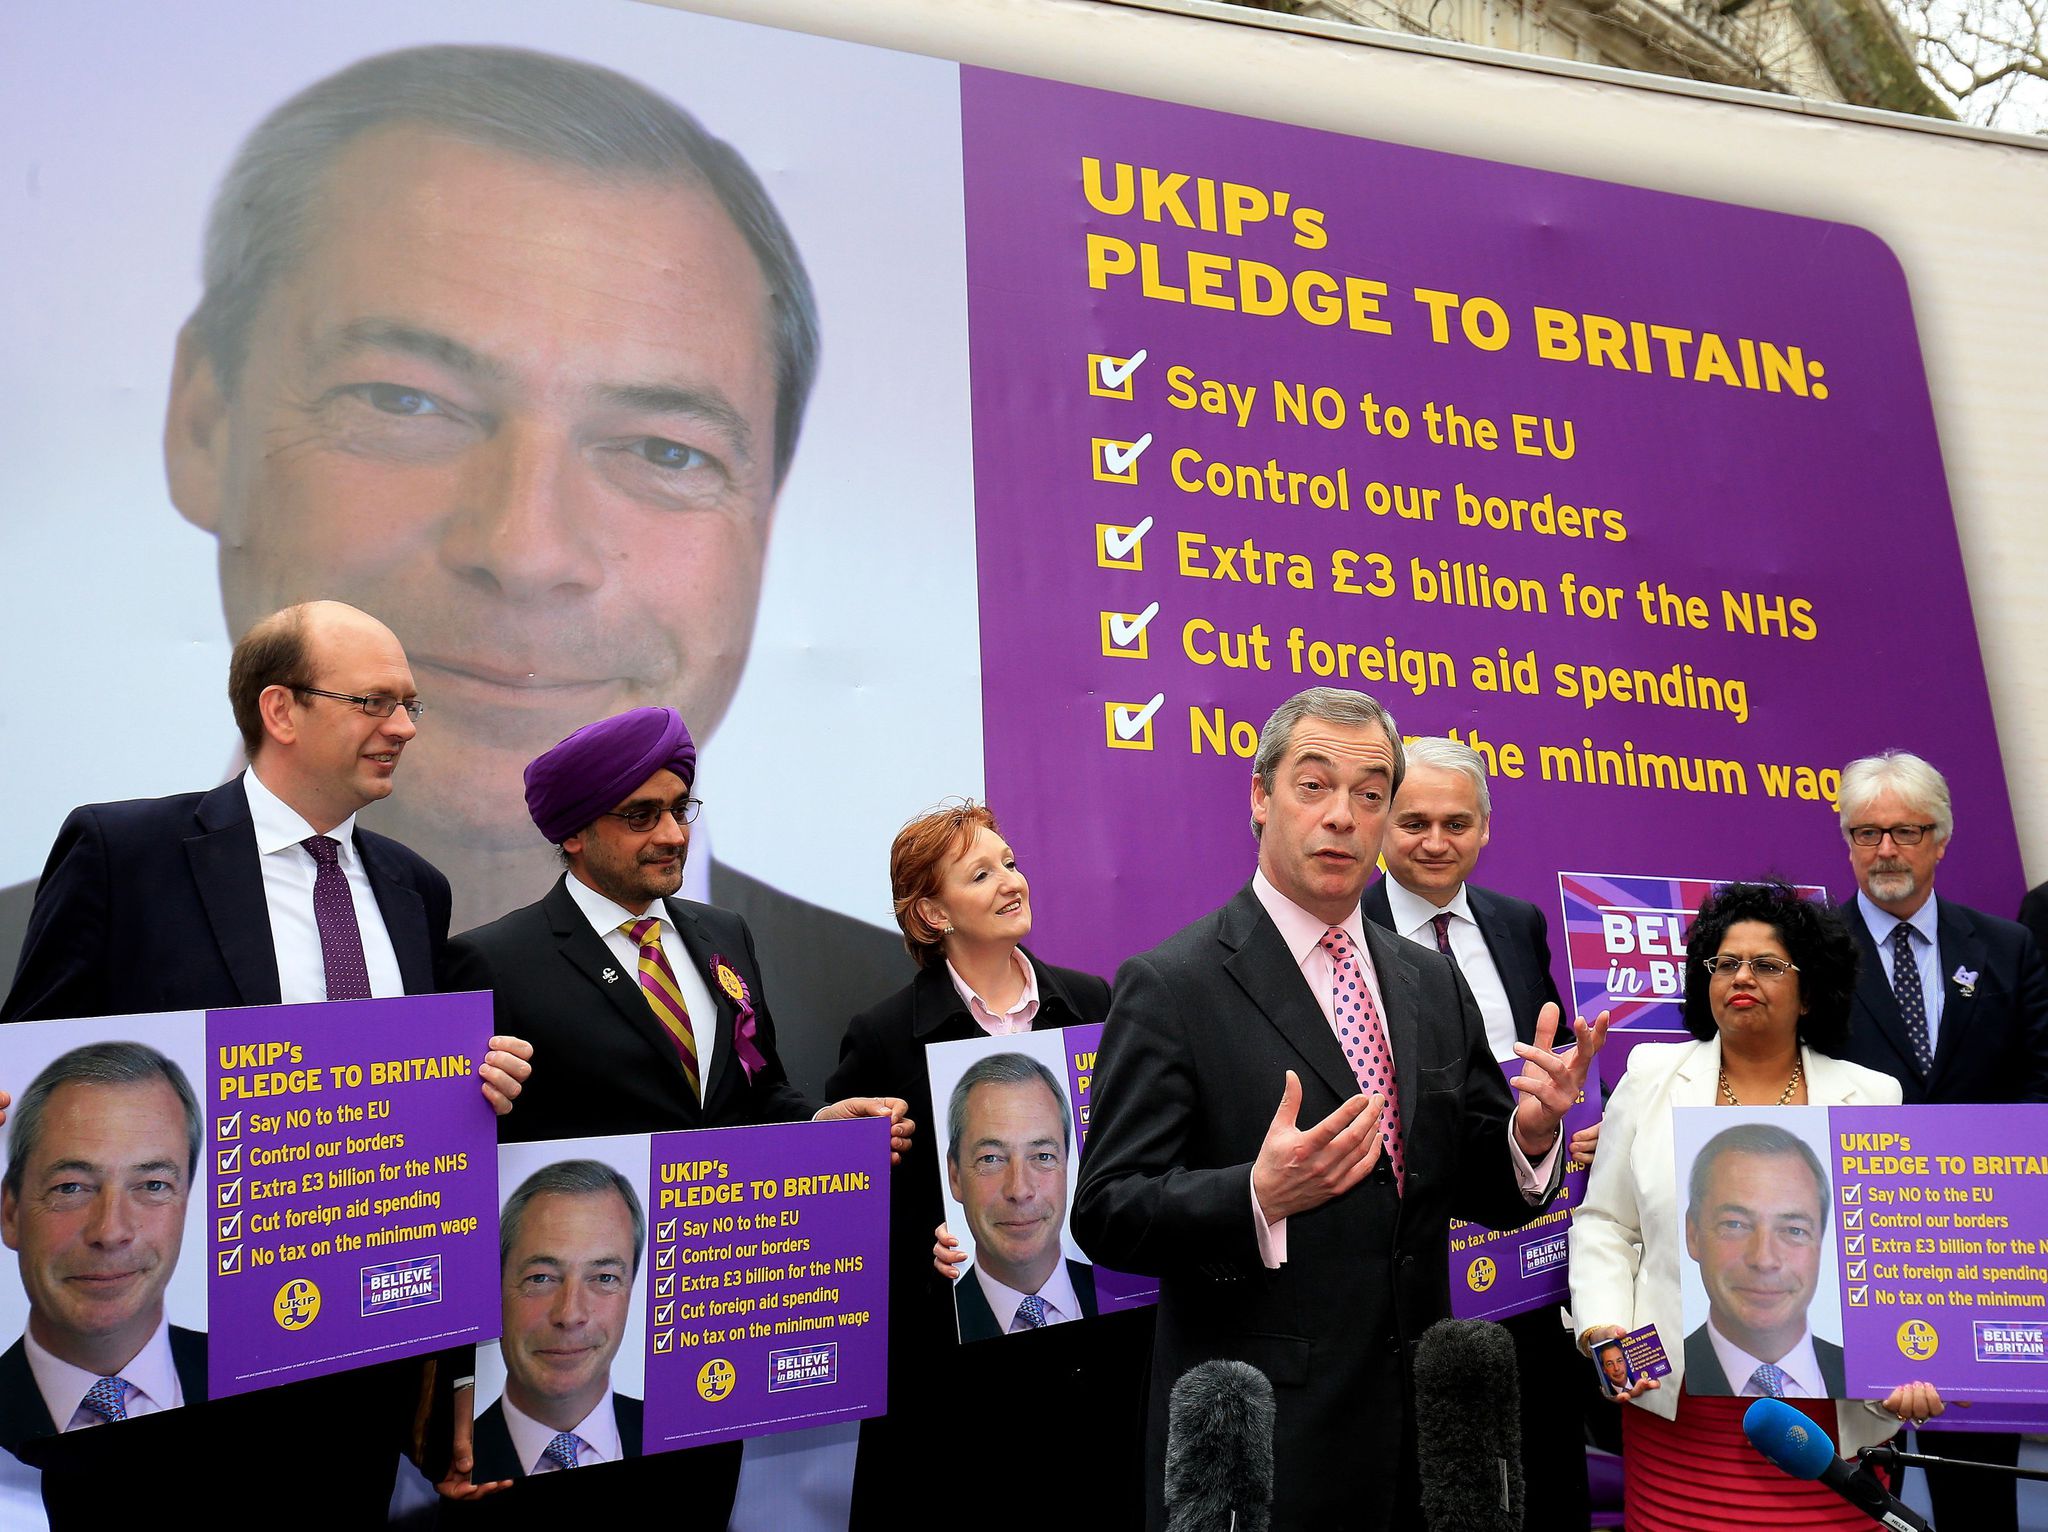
769 1269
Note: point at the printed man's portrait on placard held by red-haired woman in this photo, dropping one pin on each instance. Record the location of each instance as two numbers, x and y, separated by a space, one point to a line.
1009 1142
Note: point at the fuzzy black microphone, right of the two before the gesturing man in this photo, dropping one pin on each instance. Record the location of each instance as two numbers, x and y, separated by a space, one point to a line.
1469 1429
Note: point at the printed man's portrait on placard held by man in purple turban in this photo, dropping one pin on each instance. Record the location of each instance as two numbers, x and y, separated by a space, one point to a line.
568 1254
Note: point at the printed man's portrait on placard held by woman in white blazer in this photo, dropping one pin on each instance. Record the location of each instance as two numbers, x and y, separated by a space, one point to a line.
1754 1222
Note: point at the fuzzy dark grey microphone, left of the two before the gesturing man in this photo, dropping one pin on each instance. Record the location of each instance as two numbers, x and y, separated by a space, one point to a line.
1220 1449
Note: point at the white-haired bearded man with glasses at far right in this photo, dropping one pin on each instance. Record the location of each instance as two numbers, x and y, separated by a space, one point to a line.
1955 1007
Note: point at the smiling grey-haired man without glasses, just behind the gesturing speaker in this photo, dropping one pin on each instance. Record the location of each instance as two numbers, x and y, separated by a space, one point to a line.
1441 822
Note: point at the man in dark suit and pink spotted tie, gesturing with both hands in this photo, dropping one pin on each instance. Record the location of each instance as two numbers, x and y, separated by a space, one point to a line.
1318 1254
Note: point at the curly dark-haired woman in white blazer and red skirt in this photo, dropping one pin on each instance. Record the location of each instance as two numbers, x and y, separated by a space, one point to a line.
1766 1017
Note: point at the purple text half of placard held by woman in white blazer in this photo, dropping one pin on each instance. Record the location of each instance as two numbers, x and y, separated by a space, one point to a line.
1947 1248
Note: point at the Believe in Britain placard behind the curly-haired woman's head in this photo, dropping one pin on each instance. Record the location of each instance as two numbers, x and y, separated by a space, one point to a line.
1625 943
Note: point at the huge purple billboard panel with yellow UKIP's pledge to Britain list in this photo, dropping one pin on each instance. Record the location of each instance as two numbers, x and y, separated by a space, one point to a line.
1723 493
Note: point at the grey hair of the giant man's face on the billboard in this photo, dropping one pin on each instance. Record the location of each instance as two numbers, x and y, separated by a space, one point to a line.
536 105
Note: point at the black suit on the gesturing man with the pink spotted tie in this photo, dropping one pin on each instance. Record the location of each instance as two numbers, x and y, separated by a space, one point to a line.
1187 1082
